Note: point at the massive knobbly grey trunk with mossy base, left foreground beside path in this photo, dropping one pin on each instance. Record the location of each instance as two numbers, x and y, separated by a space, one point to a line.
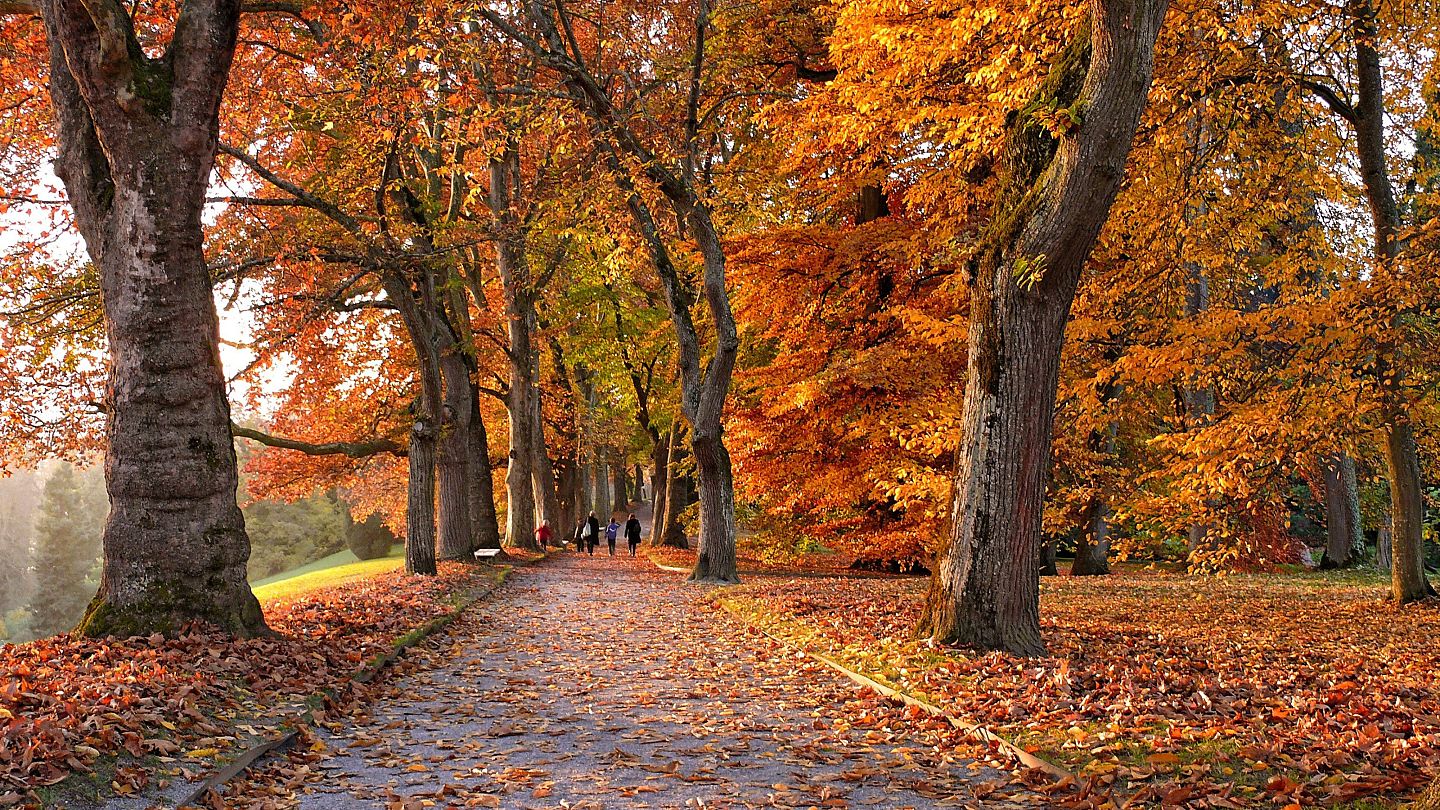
136 146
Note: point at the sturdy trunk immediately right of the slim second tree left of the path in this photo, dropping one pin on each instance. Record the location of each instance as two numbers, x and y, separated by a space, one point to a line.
457 534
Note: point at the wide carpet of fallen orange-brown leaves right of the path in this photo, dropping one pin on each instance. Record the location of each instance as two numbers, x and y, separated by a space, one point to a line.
1170 690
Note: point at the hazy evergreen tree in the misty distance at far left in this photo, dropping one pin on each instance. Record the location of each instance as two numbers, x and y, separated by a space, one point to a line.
67 546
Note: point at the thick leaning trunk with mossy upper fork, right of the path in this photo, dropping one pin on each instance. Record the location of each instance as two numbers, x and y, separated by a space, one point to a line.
1055 198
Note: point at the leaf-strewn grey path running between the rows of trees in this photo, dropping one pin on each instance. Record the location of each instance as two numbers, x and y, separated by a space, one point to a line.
601 682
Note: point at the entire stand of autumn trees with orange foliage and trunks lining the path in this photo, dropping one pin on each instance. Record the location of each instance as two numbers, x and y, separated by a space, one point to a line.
981 273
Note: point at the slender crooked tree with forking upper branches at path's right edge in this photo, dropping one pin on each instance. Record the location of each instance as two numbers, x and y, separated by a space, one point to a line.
675 162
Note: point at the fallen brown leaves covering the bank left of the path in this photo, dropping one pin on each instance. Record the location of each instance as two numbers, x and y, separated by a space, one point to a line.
67 704
